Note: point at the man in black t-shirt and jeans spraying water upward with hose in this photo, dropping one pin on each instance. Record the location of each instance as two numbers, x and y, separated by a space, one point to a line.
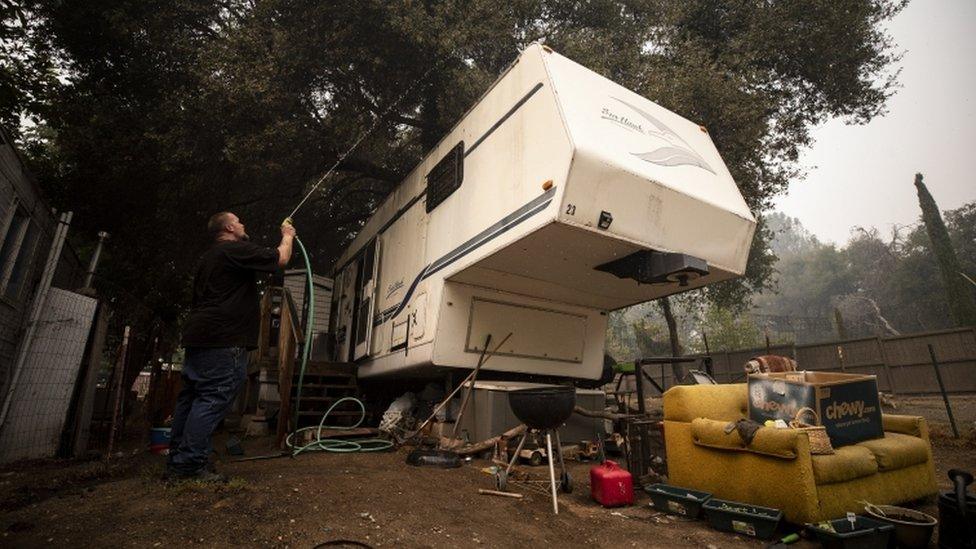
221 328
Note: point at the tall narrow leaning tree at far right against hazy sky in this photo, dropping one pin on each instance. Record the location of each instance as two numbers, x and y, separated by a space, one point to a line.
958 293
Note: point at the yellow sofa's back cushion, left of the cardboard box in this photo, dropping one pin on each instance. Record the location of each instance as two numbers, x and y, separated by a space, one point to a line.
722 402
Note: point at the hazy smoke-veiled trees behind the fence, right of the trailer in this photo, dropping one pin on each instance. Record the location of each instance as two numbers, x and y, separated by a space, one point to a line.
879 285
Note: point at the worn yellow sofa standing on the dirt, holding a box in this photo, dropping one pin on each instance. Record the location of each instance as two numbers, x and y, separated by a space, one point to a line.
777 469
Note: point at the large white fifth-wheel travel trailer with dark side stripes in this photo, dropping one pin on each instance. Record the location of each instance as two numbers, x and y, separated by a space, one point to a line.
558 197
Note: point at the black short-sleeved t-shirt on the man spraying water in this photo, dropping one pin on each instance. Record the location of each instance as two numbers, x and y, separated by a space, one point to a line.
225 297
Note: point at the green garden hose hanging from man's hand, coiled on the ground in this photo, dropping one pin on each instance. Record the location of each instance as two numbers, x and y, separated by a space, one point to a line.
320 443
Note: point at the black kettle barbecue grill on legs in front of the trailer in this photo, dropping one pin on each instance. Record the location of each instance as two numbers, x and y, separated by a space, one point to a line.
543 410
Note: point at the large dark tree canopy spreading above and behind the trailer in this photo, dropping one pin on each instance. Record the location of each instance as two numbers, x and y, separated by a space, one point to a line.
170 110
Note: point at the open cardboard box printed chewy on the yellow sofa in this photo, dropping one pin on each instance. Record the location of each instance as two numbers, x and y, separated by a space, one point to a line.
847 404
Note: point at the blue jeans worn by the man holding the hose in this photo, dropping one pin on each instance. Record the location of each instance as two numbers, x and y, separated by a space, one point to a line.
211 379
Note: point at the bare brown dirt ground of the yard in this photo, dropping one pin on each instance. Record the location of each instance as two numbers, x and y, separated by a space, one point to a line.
375 499
